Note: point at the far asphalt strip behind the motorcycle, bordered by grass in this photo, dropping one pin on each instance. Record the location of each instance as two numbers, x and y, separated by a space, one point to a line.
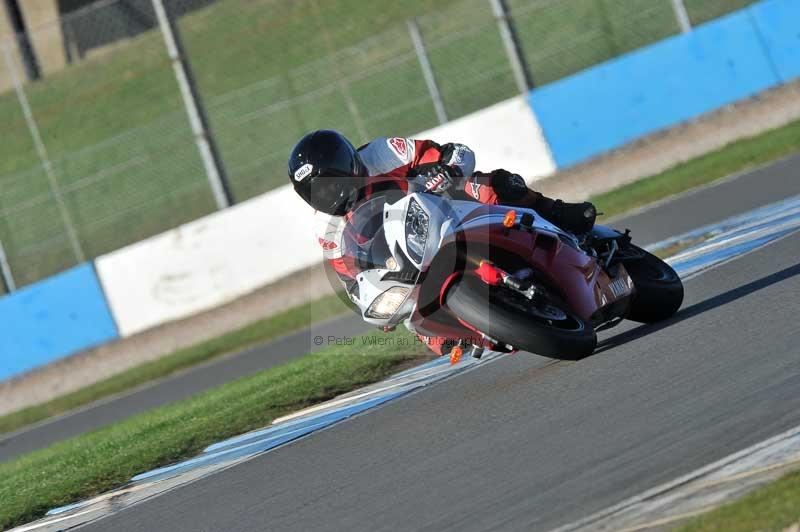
671 217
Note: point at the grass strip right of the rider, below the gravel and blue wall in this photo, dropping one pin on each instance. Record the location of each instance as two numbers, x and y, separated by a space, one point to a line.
735 157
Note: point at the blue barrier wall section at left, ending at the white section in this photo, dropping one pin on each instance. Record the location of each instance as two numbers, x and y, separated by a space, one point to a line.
52 319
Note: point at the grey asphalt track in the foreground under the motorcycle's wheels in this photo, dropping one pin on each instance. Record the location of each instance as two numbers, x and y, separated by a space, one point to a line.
523 443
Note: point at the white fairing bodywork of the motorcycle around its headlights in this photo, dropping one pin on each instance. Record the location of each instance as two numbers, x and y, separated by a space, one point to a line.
444 221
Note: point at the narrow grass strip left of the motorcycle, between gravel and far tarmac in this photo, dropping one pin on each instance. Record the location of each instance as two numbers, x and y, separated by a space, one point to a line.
268 328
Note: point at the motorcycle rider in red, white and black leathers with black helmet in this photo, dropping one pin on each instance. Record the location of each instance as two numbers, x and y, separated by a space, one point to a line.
332 176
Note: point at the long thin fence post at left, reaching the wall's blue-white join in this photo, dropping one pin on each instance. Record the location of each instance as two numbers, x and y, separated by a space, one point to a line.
41 151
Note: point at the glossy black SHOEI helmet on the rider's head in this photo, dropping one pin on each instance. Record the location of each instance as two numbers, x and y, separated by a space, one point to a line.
326 171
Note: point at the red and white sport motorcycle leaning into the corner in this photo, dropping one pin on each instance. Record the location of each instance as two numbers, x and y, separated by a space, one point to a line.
501 278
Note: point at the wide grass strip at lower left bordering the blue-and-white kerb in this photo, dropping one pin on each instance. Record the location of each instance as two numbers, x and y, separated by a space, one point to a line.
95 462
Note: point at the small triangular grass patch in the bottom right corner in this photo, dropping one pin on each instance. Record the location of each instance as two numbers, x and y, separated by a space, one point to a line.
775 506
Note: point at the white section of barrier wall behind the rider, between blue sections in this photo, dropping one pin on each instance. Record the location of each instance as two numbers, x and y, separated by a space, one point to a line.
223 256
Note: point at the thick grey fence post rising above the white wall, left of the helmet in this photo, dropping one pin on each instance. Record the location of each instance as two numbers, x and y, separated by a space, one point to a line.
212 161
